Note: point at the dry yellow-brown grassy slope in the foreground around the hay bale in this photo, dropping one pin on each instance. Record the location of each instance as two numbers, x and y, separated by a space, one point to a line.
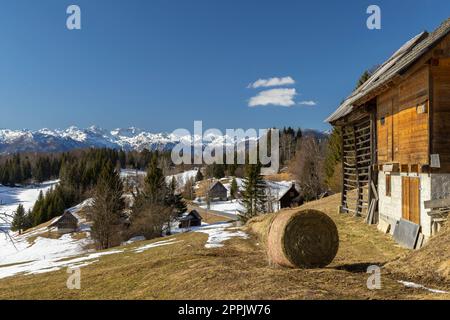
188 270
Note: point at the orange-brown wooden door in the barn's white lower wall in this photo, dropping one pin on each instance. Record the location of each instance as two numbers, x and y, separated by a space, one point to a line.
411 199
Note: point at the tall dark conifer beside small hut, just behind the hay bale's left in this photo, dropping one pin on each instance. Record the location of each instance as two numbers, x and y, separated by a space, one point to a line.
254 193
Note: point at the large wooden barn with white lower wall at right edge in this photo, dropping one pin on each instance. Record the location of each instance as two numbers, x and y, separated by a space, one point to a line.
396 141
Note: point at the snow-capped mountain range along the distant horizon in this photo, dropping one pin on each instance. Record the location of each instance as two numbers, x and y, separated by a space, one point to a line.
47 140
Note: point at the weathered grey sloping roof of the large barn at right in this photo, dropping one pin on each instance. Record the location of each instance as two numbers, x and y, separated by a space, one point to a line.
403 58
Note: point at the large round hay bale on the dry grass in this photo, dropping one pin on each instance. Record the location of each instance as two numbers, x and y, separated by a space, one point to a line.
302 239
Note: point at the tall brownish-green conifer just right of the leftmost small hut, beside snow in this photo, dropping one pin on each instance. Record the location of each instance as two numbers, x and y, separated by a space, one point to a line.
108 207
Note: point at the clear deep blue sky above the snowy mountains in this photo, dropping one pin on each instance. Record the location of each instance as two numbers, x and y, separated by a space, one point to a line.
161 64
